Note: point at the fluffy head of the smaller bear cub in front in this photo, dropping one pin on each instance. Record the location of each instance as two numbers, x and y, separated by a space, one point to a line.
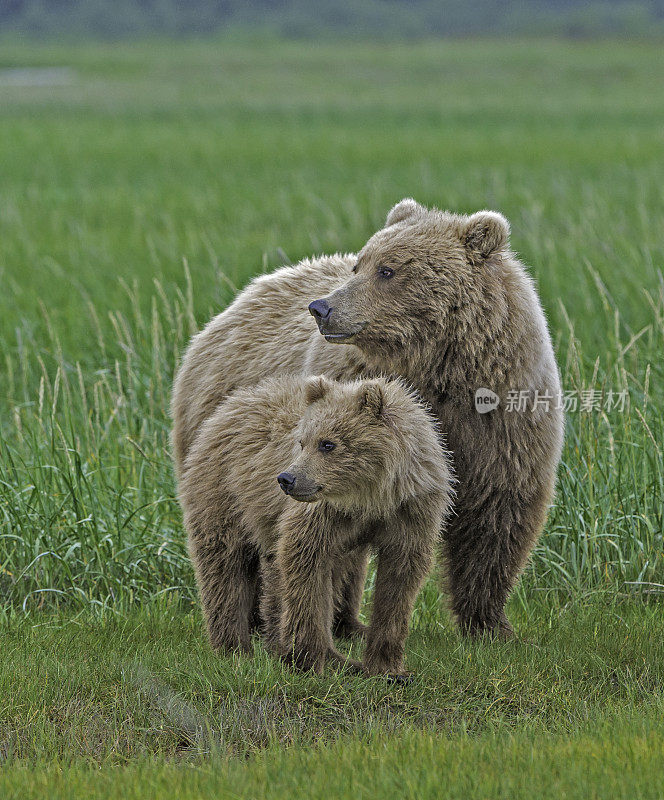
345 444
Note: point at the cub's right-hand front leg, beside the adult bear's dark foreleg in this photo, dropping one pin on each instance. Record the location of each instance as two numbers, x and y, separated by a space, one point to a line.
405 555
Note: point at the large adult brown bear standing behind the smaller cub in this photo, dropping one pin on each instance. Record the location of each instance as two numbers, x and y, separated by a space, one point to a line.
440 300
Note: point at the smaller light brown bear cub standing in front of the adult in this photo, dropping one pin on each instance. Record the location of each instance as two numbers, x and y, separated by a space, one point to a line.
286 485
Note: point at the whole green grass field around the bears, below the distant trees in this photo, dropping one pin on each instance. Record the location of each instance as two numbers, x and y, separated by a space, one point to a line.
135 198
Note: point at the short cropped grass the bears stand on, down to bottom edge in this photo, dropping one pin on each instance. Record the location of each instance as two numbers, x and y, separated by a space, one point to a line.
118 706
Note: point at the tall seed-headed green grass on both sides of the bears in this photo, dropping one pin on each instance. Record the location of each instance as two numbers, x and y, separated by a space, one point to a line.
87 495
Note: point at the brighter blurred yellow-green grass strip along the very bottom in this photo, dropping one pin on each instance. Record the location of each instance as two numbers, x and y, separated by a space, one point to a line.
605 759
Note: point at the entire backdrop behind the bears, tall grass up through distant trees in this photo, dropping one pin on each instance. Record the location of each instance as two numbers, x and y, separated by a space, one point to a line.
156 155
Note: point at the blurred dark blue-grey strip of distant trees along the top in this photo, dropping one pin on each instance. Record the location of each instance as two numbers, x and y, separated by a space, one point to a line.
357 18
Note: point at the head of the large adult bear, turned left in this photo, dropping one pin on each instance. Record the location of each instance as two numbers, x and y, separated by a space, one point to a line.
420 276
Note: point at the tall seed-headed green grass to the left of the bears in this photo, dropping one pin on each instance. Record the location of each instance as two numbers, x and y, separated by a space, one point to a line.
89 516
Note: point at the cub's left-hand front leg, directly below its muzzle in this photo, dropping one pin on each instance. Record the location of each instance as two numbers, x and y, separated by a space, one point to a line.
305 559
